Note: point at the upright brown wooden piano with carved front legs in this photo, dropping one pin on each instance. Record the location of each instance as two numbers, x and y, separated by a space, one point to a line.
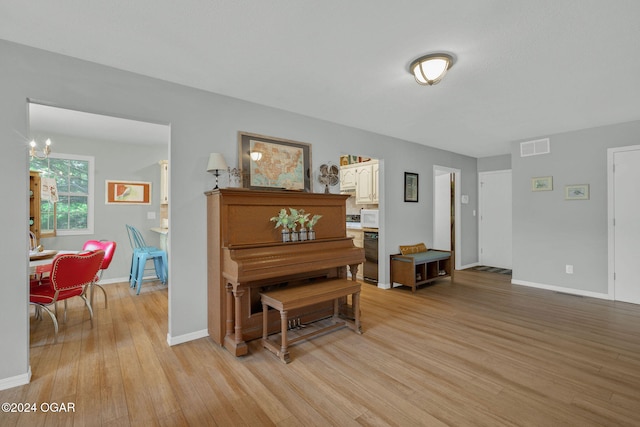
246 256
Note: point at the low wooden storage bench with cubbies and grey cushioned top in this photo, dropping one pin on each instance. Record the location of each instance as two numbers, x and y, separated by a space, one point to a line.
420 268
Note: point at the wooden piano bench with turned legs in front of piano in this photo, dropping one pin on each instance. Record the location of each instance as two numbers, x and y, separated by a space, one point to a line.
306 295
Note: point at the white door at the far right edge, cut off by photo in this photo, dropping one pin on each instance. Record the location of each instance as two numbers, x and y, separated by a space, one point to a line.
626 211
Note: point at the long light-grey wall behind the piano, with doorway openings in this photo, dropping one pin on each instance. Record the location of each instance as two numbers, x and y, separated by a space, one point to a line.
201 123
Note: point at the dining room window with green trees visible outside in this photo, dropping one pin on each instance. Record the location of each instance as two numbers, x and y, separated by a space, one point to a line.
74 178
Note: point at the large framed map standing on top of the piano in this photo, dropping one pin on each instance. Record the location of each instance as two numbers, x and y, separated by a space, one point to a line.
269 163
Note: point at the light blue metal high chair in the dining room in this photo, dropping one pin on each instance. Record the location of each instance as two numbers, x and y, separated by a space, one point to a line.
141 254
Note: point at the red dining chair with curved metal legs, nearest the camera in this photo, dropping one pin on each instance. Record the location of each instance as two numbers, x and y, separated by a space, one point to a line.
70 276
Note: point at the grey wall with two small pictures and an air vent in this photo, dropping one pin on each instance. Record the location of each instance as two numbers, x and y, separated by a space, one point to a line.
550 232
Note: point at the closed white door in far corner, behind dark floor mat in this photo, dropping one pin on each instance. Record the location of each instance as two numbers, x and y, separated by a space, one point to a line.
495 218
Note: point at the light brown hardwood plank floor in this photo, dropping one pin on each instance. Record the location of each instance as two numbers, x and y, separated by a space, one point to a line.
478 351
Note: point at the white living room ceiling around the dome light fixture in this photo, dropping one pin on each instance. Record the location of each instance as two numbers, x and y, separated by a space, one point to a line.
524 69
